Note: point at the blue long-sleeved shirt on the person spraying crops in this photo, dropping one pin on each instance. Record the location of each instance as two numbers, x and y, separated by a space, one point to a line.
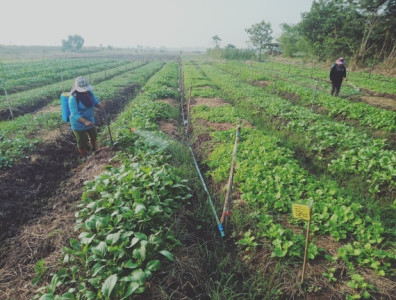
78 110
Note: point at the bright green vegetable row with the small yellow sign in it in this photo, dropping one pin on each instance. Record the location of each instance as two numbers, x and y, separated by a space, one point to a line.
269 180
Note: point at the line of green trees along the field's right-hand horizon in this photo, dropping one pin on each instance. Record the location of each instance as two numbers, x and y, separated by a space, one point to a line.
363 31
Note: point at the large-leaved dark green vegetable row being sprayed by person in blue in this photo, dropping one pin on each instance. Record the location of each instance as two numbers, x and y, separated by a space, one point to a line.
126 218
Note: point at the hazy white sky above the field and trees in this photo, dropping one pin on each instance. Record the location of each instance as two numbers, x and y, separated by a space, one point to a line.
152 23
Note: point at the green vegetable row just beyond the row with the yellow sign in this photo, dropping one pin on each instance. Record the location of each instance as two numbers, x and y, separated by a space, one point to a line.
337 146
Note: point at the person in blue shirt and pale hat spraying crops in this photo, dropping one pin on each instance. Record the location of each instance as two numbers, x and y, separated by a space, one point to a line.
82 102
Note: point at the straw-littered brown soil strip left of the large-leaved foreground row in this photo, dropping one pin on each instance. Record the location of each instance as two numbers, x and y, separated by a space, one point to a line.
45 234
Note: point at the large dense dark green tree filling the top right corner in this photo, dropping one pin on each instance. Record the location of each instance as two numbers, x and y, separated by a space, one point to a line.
363 30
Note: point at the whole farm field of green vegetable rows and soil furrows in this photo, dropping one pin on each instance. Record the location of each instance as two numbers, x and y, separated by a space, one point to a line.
134 220
